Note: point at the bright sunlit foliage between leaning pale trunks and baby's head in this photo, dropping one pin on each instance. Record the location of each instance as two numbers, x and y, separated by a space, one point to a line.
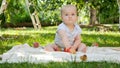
49 11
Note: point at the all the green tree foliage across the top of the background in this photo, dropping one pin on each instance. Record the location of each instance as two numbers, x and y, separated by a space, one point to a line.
49 11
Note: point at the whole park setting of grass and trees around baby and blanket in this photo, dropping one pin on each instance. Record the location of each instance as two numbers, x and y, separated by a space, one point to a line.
36 21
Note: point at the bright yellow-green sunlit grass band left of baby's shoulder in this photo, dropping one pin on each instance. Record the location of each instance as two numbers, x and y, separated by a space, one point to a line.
29 31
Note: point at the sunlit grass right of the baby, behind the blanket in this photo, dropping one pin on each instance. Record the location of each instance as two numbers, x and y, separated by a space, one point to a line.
103 38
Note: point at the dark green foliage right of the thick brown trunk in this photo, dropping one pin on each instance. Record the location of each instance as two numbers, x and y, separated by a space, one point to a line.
107 10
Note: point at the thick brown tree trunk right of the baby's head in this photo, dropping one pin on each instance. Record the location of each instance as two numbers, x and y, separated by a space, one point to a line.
93 17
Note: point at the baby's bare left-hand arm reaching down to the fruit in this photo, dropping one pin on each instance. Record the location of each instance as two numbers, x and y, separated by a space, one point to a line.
64 37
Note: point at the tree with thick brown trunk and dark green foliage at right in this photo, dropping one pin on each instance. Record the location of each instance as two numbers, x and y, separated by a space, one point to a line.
102 11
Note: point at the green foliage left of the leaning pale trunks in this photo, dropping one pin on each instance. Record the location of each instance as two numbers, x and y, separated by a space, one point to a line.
16 12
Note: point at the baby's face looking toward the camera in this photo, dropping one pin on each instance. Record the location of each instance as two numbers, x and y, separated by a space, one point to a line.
69 15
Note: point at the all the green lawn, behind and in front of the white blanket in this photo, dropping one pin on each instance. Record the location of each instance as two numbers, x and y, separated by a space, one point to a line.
46 36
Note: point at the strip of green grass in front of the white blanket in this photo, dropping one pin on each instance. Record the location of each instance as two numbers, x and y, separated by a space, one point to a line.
61 65
